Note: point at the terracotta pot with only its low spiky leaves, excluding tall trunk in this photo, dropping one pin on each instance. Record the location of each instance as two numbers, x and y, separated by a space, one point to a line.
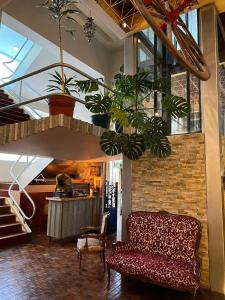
61 103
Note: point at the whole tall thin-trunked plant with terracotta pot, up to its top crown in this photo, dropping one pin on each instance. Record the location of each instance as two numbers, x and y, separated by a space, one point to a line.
63 102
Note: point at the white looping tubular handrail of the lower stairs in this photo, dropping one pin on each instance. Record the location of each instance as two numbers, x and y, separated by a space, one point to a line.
16 181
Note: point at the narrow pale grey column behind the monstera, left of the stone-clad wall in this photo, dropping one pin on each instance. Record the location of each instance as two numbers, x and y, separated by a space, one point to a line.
130 67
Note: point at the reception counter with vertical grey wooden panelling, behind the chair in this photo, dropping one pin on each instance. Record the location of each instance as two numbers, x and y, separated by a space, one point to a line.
67 215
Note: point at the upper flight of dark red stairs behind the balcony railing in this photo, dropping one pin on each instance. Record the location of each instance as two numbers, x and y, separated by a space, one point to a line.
13 115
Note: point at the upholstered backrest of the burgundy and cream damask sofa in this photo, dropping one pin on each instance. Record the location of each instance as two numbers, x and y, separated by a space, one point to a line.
170 235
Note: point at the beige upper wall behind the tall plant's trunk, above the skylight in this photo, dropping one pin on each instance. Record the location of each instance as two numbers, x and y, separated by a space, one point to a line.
94 54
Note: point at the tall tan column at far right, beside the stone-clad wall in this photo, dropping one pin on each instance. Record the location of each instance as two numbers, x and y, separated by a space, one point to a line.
211 128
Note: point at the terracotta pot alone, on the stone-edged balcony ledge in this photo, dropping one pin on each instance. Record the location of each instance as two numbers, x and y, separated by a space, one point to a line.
61 104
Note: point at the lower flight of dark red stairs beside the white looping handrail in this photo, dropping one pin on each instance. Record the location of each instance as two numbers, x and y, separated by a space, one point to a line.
11 229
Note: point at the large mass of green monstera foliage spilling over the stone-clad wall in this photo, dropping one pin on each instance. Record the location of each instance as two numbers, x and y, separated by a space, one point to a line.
127 106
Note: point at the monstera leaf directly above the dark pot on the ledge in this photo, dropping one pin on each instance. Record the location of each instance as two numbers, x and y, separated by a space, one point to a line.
98 103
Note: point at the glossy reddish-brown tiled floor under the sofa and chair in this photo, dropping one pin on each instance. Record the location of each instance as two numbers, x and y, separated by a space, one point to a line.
44 271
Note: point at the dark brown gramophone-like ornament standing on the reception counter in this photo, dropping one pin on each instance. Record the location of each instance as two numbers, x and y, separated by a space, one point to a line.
63 185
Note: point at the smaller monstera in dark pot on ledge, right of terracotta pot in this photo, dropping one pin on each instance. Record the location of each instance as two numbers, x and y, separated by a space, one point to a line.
97 103
